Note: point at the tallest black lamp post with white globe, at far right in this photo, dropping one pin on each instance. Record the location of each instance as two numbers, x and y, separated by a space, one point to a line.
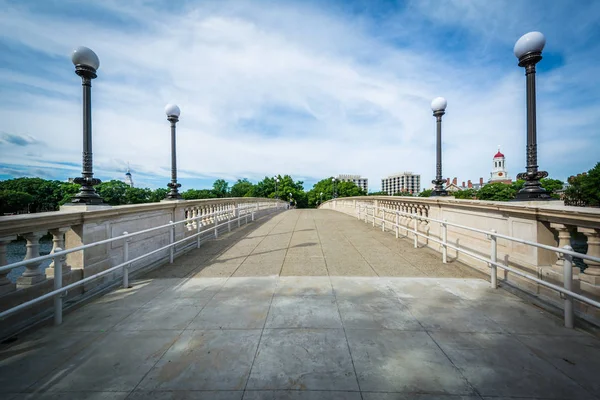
528 50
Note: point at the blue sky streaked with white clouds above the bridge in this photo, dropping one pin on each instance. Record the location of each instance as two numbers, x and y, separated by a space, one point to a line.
307 88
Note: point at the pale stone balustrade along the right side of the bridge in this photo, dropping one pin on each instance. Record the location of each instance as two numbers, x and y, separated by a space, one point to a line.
549 223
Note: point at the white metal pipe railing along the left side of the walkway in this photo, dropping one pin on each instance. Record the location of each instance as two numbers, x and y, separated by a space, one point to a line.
59 290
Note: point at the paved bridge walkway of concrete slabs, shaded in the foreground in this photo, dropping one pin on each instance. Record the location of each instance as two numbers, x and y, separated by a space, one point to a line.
305 305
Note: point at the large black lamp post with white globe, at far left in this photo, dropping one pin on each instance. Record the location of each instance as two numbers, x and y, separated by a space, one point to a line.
86 63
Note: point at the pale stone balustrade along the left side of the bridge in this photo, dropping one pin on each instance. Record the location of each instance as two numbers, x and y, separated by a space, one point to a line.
76 226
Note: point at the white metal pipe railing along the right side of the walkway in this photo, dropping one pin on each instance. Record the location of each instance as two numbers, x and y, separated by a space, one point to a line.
565 252
